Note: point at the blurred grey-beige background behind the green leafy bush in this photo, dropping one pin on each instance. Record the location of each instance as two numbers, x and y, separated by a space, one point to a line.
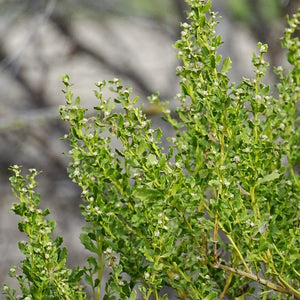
92 40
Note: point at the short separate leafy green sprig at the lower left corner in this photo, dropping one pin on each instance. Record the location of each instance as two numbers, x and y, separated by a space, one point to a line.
42 274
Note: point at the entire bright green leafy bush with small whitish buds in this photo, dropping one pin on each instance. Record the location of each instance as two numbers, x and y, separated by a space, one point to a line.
208 217
